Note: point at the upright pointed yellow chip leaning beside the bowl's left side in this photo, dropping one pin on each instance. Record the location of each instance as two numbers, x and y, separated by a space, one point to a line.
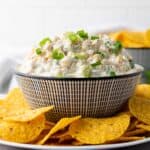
14 103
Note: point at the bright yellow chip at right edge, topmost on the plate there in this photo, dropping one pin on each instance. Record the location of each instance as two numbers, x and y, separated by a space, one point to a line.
143 90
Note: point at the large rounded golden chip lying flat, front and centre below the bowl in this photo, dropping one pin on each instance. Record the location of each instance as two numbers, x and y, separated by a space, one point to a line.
98 131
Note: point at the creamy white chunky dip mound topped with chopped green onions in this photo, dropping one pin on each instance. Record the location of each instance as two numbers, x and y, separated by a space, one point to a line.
76 54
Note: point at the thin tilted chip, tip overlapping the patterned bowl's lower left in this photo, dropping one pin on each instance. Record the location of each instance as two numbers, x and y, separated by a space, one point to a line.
29 114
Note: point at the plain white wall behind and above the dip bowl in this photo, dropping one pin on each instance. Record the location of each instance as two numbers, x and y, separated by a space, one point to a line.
24 22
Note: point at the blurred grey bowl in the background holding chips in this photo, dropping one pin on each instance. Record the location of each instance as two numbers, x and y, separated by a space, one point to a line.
141 56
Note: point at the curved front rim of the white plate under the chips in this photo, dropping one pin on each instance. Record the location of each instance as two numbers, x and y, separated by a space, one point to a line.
93 147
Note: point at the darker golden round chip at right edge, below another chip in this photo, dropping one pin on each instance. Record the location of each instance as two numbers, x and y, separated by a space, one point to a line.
140 108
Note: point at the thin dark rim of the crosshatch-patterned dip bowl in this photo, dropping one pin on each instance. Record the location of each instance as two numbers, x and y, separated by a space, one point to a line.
17 73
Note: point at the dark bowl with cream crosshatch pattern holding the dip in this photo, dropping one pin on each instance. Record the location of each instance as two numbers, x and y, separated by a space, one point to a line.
89 97
